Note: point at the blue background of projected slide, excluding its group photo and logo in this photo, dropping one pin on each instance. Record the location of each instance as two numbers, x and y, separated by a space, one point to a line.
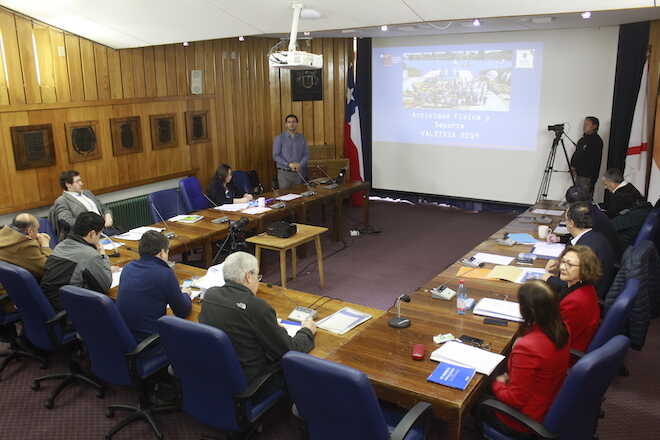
515 129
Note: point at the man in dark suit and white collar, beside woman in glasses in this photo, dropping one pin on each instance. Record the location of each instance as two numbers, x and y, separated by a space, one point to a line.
579 224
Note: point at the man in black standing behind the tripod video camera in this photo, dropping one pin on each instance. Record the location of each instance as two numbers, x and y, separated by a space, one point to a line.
585 163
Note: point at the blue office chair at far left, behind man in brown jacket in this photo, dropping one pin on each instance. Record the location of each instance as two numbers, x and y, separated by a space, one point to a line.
44 329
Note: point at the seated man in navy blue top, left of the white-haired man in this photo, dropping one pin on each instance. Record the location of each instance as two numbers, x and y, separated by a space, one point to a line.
148 285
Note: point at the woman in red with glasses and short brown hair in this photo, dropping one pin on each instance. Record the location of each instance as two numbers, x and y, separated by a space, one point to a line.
579 268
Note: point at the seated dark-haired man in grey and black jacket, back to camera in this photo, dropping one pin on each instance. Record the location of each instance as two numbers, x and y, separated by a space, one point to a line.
78 260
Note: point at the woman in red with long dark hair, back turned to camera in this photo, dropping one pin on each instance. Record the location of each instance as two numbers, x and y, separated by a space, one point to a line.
538 361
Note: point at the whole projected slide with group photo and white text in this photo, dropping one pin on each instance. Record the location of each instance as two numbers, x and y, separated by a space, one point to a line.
479 95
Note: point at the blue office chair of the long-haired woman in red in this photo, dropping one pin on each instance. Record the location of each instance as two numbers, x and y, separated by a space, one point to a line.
575 411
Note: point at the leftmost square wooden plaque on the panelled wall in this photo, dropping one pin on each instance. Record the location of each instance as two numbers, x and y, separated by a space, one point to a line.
33 146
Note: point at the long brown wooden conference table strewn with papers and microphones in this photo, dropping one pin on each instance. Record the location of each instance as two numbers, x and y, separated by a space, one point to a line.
382 352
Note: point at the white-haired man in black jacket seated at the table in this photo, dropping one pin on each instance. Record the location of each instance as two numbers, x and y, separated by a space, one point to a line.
249 321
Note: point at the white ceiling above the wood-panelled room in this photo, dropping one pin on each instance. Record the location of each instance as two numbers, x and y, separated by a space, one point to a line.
135 23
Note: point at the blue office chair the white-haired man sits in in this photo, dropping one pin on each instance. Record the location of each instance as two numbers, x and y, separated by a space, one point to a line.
214 388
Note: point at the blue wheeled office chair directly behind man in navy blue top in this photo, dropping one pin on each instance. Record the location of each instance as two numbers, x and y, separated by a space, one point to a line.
115 356
